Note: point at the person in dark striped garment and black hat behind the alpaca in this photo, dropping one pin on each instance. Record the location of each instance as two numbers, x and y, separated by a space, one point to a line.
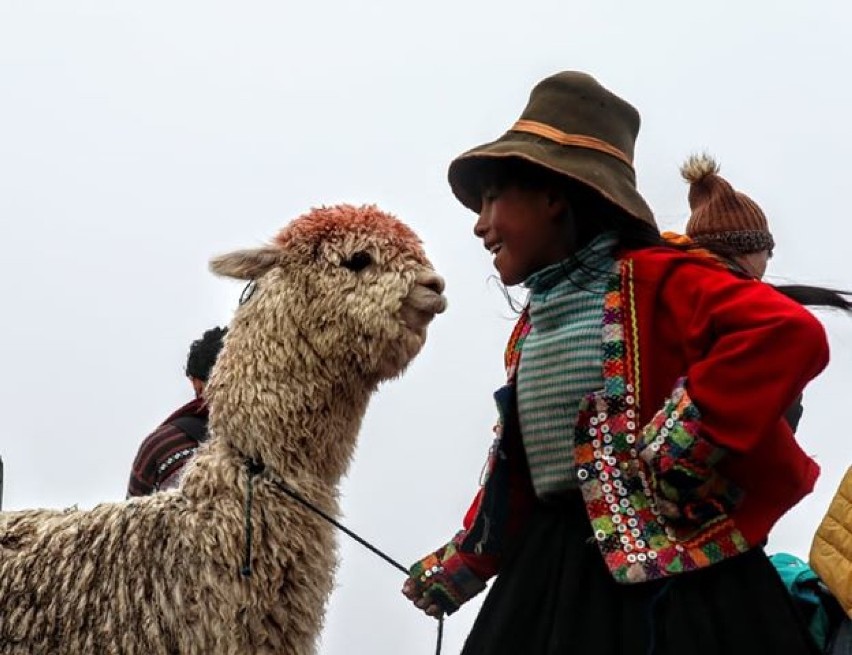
165 452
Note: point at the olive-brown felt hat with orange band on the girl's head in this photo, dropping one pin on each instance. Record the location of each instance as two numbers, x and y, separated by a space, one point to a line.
572 126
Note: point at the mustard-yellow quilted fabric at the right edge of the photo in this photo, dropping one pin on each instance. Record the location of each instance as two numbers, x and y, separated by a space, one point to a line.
831 550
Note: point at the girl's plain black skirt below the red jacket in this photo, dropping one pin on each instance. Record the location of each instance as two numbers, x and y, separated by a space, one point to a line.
554 596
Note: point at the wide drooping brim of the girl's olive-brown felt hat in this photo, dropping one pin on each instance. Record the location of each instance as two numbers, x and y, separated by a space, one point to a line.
607 175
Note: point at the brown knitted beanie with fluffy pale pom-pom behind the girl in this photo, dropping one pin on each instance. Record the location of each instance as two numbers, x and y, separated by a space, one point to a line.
722 216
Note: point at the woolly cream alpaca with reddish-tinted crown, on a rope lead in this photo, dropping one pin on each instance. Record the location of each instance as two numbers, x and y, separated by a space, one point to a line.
338 302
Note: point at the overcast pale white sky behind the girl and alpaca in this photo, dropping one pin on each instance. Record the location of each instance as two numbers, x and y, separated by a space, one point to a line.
137 139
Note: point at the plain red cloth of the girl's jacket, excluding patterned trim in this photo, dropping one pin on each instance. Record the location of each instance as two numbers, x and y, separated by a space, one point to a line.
747 352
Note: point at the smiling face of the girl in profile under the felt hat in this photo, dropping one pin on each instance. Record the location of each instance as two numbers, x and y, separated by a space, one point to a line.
524 229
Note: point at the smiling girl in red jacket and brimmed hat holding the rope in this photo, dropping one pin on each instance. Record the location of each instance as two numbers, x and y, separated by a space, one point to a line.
642 456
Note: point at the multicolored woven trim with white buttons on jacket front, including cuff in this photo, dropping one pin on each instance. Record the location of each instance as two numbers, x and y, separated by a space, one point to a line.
664 512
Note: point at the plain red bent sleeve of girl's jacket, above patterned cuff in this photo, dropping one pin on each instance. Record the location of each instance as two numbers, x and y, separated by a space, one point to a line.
756 351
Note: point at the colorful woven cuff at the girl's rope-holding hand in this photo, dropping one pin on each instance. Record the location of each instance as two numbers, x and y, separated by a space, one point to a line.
444 577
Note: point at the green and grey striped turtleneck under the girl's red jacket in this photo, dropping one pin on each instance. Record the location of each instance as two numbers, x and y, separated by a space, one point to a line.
561 359
